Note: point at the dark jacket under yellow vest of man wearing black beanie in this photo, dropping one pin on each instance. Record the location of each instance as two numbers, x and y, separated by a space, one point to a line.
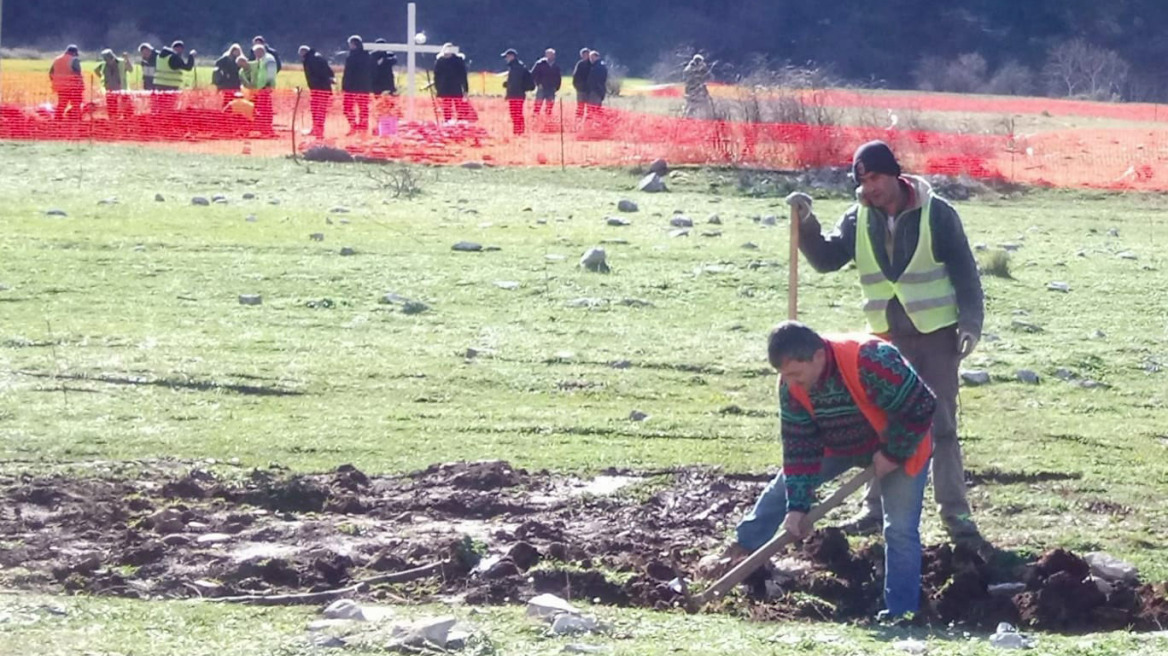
951 248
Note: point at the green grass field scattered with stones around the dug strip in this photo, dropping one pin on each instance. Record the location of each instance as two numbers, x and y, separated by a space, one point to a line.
122 340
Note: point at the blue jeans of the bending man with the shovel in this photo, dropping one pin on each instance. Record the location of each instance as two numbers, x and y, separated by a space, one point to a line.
902 497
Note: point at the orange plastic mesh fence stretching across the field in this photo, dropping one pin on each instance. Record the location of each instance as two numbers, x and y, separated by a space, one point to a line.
449 131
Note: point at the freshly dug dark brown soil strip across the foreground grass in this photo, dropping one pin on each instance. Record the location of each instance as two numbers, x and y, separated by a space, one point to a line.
198 535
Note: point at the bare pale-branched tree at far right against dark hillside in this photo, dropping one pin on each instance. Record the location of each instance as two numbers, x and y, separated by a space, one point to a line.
1077 68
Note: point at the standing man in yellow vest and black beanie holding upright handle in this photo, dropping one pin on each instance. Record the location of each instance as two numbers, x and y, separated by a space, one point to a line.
922 291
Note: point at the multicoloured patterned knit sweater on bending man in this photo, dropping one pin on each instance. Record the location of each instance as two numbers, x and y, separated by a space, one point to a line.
840 430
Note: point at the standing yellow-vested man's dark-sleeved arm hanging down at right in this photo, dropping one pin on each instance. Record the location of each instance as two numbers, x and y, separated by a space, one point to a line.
951 247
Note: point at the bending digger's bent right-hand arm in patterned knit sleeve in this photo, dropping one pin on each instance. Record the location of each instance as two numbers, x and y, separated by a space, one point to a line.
894 386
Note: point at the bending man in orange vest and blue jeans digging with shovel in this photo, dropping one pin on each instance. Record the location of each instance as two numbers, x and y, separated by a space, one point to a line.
847 402
